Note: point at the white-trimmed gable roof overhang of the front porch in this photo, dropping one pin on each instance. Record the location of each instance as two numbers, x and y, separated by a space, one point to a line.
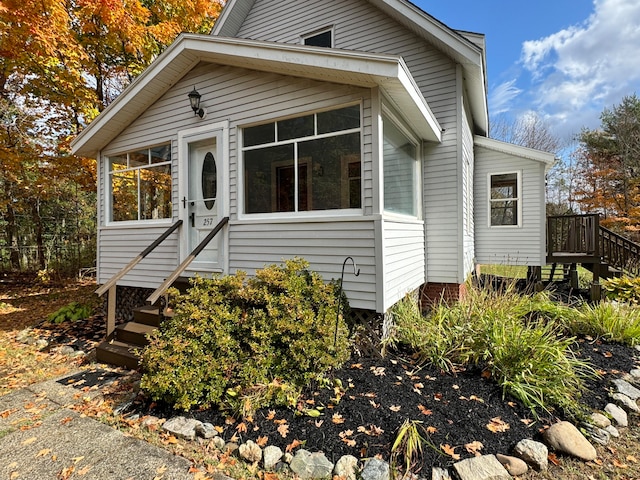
388 72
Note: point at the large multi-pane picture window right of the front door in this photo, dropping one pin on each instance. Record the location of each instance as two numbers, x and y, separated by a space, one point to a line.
306 163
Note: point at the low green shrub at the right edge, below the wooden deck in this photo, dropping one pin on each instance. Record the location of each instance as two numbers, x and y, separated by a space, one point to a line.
616 322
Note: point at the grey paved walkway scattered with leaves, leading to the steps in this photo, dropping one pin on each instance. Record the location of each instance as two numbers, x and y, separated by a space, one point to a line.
42 439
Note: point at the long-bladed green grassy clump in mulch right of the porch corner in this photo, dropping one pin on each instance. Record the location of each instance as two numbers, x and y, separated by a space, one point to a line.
517 338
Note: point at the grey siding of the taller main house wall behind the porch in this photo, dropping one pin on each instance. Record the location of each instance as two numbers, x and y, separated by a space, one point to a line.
360 26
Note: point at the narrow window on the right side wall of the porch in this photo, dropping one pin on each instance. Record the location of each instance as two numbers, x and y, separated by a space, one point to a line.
400 163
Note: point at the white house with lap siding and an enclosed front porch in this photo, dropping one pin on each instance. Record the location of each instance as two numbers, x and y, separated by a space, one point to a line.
330 128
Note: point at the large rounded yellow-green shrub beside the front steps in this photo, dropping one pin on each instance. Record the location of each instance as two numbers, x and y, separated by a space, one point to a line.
246 343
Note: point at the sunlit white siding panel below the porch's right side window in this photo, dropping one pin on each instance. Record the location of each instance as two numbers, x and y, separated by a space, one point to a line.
404 256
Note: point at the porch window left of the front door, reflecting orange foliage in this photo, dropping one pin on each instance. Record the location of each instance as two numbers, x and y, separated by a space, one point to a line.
140 184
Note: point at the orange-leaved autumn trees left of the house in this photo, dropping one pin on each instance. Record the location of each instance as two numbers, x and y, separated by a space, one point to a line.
61 63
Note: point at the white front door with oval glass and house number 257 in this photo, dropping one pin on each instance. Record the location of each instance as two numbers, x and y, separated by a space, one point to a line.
203 201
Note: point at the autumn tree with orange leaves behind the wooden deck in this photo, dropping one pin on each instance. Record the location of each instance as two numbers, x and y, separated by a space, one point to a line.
609 159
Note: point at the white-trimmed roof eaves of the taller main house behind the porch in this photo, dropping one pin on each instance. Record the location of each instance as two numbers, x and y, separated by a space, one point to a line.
465 48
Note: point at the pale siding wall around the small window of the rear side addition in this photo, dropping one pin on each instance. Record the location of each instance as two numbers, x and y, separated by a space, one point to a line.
524 245
